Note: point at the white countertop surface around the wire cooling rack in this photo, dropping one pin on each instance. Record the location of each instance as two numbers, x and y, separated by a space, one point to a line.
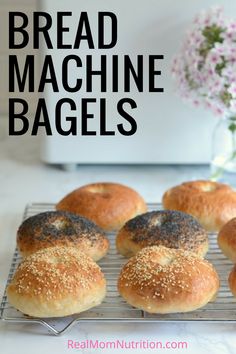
24 179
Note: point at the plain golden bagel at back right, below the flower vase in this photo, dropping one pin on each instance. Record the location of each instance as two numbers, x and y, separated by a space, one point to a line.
212 203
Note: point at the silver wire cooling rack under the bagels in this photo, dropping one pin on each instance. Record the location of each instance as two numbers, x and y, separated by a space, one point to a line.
114 308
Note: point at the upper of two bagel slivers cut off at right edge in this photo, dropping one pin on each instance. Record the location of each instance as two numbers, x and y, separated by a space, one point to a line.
227 240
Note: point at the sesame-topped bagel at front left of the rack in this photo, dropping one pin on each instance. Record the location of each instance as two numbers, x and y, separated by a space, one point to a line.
55 282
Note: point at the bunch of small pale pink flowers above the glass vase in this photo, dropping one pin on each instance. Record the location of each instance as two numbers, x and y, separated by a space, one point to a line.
203 71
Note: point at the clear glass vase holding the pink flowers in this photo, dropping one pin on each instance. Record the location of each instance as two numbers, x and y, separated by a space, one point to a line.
223 163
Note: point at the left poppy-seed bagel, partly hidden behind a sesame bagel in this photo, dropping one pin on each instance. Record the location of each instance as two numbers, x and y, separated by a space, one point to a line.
59 228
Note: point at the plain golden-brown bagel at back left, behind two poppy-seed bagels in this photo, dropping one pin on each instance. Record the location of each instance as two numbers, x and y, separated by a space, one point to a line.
109 205
